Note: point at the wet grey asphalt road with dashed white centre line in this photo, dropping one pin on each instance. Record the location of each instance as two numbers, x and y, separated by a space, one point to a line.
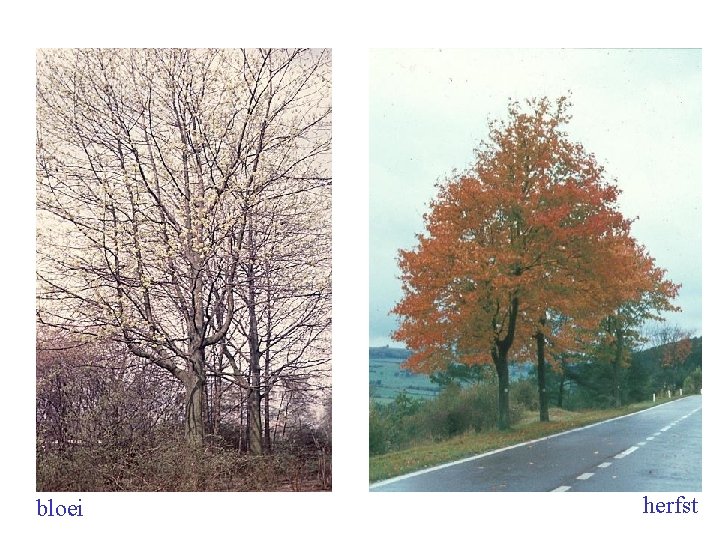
658 449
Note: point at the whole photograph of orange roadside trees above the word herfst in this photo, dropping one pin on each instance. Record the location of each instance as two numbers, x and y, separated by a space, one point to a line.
535 310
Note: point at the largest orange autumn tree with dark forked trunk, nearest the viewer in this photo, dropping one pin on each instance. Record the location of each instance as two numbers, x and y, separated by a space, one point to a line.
529 229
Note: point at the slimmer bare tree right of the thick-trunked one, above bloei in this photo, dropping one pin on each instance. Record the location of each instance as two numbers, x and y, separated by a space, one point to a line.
283 333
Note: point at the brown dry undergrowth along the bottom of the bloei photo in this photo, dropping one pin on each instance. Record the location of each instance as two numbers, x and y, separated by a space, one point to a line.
170 466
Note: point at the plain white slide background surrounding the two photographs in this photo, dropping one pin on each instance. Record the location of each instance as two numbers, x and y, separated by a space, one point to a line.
349 29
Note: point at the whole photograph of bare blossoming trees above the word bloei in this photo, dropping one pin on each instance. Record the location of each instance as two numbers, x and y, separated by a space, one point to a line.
183 233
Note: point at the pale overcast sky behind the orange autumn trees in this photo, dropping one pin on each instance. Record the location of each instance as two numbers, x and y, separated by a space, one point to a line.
638 111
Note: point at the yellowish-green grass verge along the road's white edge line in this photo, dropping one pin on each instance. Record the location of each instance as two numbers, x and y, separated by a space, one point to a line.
428 454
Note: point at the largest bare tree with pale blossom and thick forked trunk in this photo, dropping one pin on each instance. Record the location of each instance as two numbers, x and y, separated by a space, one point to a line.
150 166
